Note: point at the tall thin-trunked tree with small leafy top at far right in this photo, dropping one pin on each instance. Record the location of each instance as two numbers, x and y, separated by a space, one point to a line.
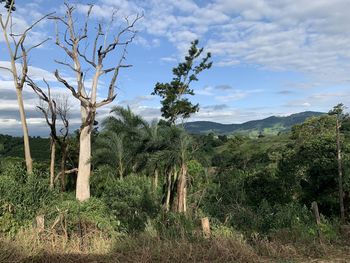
340 116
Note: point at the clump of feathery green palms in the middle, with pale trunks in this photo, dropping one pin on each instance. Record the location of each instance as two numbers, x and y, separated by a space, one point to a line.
128 143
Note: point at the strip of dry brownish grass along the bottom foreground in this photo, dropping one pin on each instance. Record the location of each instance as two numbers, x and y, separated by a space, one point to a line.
31 246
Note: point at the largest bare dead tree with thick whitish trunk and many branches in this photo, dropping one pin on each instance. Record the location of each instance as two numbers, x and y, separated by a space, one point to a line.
73 40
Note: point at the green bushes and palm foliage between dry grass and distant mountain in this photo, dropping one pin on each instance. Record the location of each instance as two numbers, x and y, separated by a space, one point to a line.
252 190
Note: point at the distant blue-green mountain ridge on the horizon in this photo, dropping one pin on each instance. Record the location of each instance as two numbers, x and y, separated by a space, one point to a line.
270 125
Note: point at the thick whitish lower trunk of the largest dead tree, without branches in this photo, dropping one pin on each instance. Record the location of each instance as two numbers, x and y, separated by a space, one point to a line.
84 168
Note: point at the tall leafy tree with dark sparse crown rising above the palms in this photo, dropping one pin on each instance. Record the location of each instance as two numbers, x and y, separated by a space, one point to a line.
175 105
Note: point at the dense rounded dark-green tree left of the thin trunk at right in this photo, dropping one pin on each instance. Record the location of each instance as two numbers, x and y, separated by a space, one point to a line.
309 167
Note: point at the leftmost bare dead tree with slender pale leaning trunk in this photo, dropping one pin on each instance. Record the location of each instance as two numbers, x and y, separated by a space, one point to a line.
18 54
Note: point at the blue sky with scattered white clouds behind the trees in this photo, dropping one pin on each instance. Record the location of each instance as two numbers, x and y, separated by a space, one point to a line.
270 57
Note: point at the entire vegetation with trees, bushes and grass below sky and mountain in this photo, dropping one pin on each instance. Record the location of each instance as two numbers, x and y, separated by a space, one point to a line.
128 190
